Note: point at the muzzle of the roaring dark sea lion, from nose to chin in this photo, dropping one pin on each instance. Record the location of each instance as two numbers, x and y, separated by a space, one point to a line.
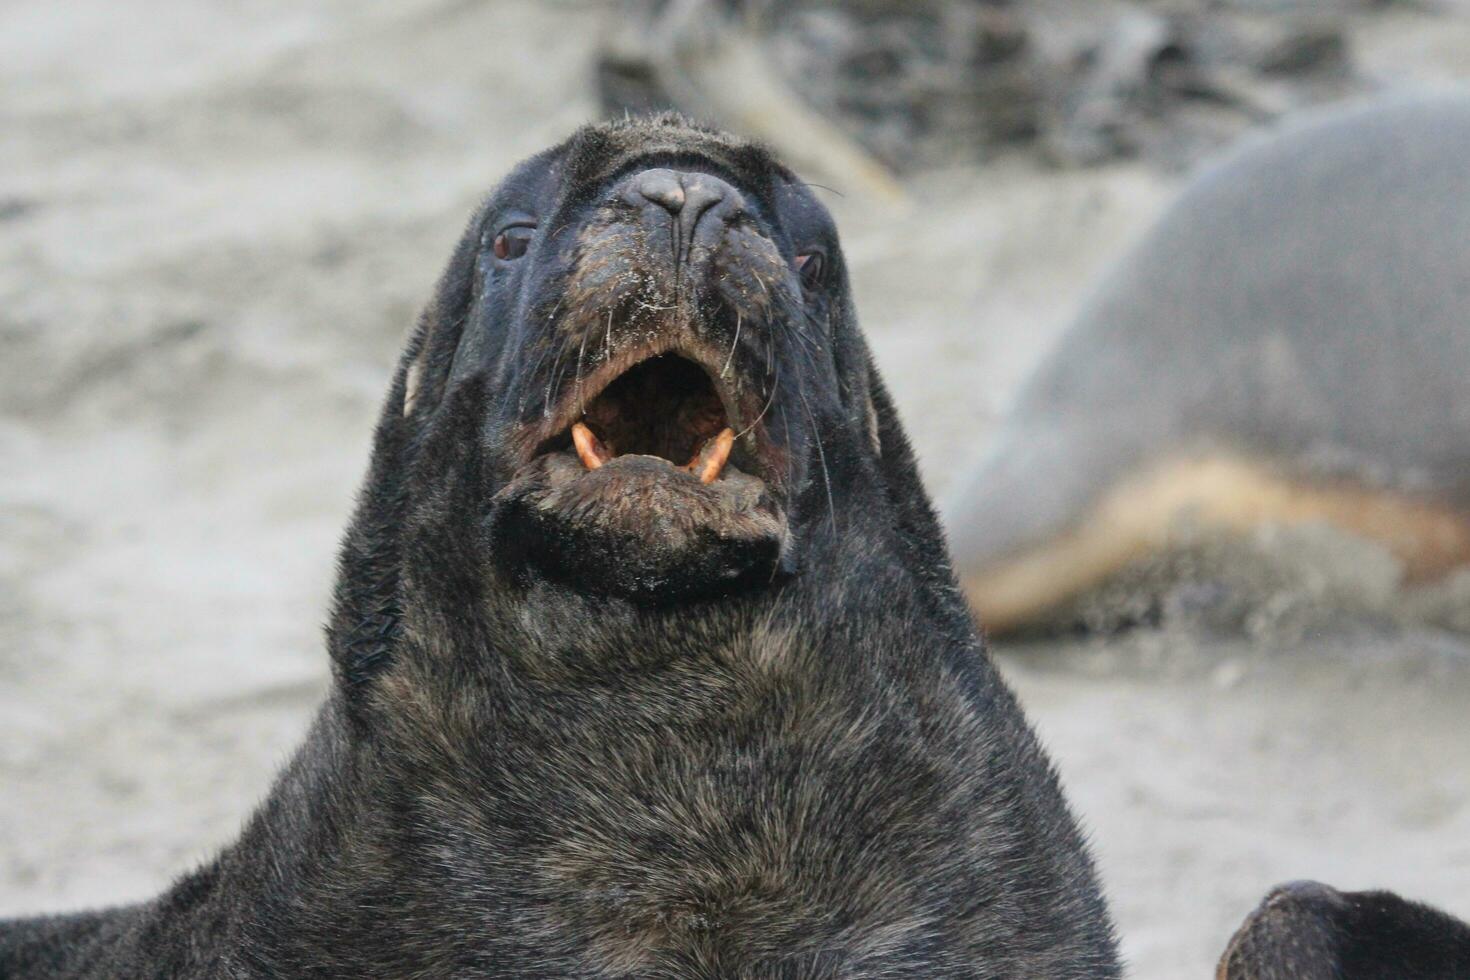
646 465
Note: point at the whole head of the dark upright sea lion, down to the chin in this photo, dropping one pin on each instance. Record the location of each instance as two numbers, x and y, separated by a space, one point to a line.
640 383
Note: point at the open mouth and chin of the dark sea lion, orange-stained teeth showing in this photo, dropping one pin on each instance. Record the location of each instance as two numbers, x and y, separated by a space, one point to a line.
661 481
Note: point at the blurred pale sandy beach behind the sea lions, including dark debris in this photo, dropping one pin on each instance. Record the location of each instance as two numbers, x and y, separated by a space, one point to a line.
218 223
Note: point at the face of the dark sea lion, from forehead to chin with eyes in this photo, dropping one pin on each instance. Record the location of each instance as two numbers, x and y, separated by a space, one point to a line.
649 345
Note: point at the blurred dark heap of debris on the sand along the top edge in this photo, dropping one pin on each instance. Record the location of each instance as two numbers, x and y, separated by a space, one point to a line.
1078 82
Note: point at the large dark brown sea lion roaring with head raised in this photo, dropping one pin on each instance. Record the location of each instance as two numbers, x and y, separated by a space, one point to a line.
648 655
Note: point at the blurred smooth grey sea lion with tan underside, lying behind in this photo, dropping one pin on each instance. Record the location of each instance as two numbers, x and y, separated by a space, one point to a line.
1288 346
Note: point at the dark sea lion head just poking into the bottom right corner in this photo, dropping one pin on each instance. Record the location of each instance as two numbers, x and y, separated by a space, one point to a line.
1308 931
